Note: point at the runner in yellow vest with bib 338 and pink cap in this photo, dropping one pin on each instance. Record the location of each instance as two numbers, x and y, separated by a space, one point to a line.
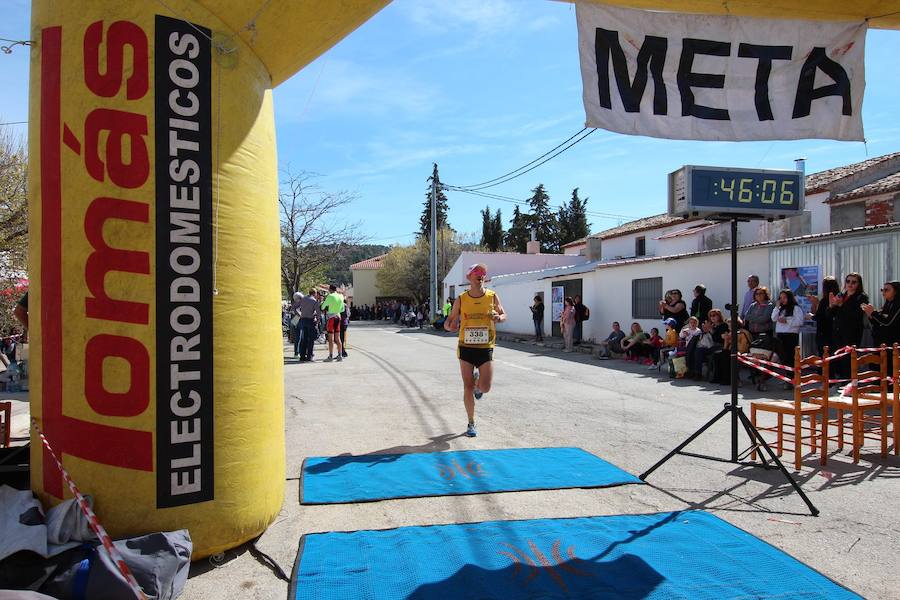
475 315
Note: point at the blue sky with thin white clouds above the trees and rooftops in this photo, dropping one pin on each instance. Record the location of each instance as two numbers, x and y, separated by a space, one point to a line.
482 87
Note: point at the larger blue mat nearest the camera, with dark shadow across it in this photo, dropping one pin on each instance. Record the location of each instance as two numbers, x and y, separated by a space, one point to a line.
685 555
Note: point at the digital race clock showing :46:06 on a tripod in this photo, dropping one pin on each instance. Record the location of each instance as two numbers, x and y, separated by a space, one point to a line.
750 193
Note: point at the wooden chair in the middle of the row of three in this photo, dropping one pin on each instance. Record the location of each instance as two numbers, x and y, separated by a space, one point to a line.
868 395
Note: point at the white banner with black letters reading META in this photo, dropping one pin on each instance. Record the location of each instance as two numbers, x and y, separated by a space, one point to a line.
702 77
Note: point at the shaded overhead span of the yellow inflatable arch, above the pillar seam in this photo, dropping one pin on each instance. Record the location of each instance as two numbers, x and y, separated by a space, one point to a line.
287 35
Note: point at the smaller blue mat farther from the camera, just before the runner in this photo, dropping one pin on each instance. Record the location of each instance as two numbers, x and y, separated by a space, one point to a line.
369 477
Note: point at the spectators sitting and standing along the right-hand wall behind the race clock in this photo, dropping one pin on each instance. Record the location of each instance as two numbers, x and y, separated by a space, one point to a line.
842 316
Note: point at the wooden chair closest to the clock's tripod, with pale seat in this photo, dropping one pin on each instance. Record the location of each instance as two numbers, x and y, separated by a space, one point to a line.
810 400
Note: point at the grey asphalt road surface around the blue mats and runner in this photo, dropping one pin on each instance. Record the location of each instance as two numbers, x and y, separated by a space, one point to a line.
400 391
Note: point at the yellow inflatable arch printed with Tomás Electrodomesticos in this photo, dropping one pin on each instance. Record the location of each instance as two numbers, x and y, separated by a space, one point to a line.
156 358
